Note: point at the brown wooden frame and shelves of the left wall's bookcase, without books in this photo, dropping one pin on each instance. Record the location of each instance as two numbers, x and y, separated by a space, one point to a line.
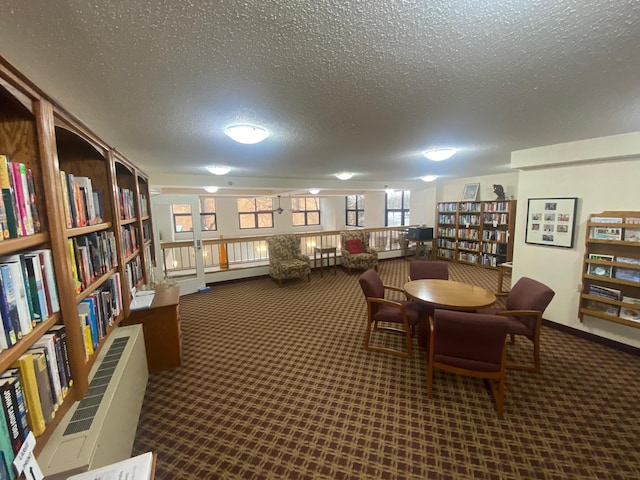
39 133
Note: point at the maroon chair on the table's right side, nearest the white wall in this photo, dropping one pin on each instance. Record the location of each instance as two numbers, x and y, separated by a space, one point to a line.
525 305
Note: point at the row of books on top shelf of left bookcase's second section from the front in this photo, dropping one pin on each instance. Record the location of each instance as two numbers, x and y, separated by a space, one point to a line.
82 204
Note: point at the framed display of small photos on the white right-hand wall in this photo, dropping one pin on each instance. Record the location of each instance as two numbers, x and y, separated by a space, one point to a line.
551 221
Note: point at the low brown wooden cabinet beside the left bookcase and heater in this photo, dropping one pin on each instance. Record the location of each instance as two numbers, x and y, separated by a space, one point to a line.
161 327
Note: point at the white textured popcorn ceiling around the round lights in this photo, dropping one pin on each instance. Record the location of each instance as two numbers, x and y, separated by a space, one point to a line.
355 85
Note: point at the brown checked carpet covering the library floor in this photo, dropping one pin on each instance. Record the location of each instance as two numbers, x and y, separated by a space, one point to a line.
275 384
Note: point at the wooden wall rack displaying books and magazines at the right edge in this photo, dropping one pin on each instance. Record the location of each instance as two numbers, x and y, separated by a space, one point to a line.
611 268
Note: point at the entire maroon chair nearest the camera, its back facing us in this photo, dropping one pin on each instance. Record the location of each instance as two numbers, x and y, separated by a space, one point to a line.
468 344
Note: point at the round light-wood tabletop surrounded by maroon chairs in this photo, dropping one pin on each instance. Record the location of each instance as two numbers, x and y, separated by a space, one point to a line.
449 295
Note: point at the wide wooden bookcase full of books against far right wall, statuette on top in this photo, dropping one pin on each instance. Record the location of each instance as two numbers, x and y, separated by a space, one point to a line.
477 233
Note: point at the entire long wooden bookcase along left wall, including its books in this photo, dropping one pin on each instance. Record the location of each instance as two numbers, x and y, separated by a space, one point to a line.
62 260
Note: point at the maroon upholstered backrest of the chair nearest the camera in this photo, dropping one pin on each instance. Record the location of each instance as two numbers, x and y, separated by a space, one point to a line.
469 340
